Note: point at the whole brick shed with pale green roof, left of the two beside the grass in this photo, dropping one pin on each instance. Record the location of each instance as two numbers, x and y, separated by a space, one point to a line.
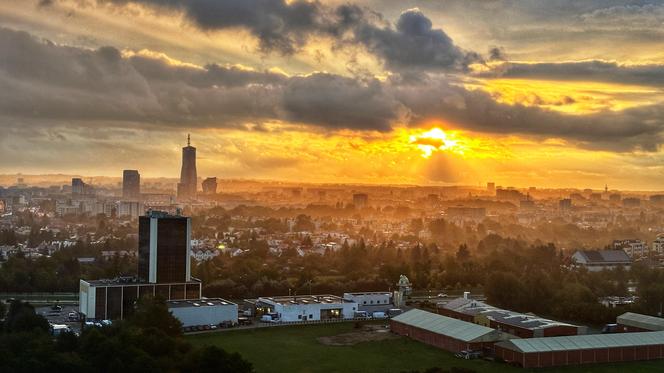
445 332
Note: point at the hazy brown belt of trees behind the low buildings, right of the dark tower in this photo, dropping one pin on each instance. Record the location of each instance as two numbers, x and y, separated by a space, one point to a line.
513 274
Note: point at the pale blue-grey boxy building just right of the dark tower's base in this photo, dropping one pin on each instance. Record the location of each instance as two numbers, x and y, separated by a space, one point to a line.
206 311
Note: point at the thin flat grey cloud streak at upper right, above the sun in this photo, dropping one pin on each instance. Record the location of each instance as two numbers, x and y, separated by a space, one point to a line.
600 71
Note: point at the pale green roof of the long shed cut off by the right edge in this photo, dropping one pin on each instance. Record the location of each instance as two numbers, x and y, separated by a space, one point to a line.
583 342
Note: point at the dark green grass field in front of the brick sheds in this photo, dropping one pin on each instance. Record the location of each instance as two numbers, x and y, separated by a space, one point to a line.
296 349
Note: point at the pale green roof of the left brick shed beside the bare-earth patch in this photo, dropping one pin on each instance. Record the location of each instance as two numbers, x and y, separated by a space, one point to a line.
457 329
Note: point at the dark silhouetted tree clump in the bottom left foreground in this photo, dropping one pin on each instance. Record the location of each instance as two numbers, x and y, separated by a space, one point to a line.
150 341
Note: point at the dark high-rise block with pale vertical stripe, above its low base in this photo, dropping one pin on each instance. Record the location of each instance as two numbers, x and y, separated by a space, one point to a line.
164 246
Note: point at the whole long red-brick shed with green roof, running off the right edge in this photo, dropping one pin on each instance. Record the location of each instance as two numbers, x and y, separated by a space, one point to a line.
582 349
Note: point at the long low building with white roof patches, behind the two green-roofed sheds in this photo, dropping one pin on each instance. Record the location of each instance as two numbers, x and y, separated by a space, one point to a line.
515 323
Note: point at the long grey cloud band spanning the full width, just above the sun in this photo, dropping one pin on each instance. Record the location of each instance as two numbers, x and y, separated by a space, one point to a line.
43 81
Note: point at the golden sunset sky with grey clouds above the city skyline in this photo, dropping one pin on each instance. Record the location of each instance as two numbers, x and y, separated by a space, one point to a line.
548 93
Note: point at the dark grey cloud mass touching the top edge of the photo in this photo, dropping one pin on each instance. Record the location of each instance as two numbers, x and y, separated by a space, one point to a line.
413 43
